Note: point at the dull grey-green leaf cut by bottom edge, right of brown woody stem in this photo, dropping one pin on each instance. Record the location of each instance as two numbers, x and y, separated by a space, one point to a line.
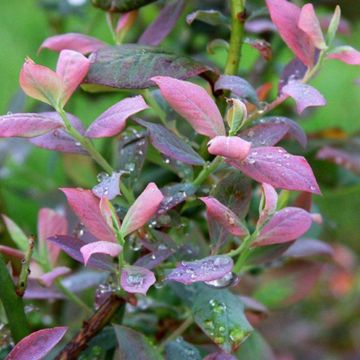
135 346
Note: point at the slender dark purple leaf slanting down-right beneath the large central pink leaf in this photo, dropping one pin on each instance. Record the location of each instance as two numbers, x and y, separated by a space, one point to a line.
171 145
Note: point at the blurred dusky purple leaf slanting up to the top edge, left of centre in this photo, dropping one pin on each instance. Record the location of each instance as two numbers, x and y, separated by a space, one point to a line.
163 24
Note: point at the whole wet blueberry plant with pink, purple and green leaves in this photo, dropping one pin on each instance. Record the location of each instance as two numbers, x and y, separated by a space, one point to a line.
195 201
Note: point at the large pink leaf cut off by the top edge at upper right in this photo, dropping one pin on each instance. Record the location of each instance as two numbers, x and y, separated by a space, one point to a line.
285 16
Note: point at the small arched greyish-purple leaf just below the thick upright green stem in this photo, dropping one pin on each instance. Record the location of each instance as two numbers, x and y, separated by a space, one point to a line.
238 86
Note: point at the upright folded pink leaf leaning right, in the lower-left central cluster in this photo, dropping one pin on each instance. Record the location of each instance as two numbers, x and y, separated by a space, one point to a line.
144 207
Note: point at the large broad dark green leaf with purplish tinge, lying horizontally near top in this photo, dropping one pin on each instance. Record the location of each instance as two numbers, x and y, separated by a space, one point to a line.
131 66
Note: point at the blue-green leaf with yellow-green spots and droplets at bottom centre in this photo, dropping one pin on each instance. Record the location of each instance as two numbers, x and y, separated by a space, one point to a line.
220 314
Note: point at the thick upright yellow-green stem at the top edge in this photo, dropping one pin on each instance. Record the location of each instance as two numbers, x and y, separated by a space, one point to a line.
236 37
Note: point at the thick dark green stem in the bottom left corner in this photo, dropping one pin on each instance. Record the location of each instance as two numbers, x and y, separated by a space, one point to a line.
13 305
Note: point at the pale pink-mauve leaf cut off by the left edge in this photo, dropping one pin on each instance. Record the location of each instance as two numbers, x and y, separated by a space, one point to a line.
27 125
